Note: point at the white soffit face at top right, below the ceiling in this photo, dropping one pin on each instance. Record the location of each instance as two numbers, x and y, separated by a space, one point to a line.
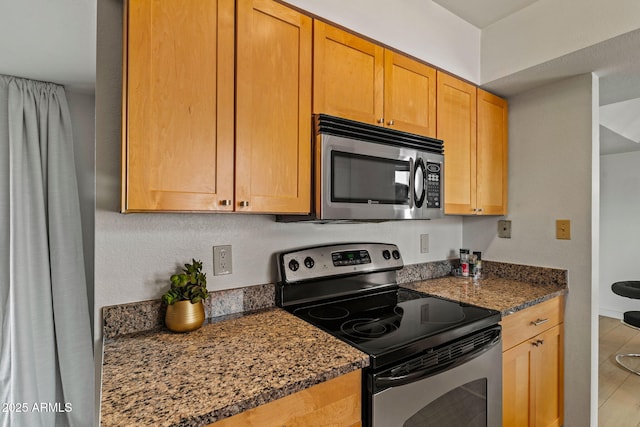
549 29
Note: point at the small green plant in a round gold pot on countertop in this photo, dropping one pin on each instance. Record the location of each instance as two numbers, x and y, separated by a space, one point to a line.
185 308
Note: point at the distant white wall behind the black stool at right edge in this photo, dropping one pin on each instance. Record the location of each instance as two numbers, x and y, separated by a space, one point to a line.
619 229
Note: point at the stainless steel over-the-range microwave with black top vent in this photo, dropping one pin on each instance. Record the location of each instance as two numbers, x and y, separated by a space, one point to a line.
364 172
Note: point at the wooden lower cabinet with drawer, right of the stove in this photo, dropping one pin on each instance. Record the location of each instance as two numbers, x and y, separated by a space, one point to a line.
533 372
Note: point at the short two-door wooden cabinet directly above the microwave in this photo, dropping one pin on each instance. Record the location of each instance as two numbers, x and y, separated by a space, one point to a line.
360 80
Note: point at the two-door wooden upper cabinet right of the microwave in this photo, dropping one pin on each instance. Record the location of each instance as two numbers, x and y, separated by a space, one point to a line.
473 125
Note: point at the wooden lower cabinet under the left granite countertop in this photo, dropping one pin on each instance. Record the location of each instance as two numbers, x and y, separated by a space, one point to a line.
336 402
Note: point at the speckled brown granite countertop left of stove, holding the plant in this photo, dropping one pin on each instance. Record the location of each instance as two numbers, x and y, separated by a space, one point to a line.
162 378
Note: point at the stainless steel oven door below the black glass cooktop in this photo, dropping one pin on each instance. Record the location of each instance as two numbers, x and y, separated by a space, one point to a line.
467 393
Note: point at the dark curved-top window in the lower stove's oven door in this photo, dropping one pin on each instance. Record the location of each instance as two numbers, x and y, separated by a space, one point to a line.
463 406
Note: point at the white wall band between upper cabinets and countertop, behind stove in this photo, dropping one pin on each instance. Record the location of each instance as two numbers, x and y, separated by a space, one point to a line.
136 253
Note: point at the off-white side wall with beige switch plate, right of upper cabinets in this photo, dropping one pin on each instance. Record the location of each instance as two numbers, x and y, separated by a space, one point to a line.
550 155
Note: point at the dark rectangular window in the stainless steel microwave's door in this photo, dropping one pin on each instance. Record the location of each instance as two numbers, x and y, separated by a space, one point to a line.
357 178
